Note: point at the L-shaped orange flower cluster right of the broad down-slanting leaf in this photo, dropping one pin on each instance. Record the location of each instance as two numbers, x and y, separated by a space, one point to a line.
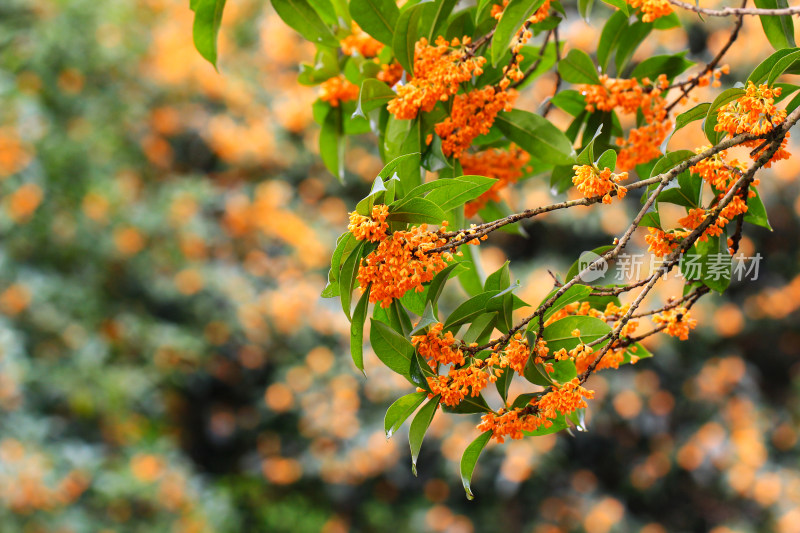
629 96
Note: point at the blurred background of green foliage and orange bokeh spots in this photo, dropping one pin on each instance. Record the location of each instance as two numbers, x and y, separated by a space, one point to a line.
166 363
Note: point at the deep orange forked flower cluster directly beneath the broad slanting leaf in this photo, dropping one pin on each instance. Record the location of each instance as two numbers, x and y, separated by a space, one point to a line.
506 166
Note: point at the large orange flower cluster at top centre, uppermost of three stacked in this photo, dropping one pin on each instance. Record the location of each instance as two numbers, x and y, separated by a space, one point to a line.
438 72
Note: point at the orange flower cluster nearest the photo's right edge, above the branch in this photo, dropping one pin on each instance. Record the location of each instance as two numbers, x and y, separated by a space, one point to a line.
755 113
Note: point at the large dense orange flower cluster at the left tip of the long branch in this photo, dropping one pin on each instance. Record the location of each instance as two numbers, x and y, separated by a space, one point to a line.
401 263
